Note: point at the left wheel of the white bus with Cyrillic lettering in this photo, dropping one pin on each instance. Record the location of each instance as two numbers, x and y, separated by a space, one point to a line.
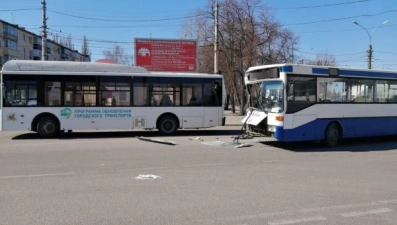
46 125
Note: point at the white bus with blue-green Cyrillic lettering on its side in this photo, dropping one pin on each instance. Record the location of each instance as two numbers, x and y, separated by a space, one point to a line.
49 97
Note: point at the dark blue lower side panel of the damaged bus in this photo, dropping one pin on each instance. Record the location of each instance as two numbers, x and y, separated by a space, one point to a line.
352 127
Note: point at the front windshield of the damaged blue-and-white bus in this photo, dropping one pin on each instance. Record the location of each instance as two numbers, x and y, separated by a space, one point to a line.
268 96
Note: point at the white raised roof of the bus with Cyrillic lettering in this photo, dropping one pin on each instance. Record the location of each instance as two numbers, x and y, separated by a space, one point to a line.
33 67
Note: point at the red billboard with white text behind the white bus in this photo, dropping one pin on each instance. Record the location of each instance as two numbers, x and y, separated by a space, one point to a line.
179 55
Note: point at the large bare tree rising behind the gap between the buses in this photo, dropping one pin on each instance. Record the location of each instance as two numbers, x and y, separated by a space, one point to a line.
248 36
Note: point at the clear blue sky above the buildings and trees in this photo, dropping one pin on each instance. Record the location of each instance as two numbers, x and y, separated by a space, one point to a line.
324 26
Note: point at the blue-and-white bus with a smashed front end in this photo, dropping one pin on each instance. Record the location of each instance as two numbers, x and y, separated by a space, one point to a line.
312 103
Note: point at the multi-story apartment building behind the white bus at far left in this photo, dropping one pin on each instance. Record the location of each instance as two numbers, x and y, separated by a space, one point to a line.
18 43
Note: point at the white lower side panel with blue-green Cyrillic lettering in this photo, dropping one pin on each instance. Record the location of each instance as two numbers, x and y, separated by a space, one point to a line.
83 118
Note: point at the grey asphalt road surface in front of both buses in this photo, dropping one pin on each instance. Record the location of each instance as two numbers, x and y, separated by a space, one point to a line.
115 178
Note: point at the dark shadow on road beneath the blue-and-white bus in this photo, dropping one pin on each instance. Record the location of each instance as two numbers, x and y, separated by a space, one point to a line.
368 144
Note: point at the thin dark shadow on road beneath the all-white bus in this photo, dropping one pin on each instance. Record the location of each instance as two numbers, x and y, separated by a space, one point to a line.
130 134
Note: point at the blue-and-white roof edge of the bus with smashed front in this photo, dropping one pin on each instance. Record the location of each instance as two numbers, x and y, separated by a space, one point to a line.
326 70
